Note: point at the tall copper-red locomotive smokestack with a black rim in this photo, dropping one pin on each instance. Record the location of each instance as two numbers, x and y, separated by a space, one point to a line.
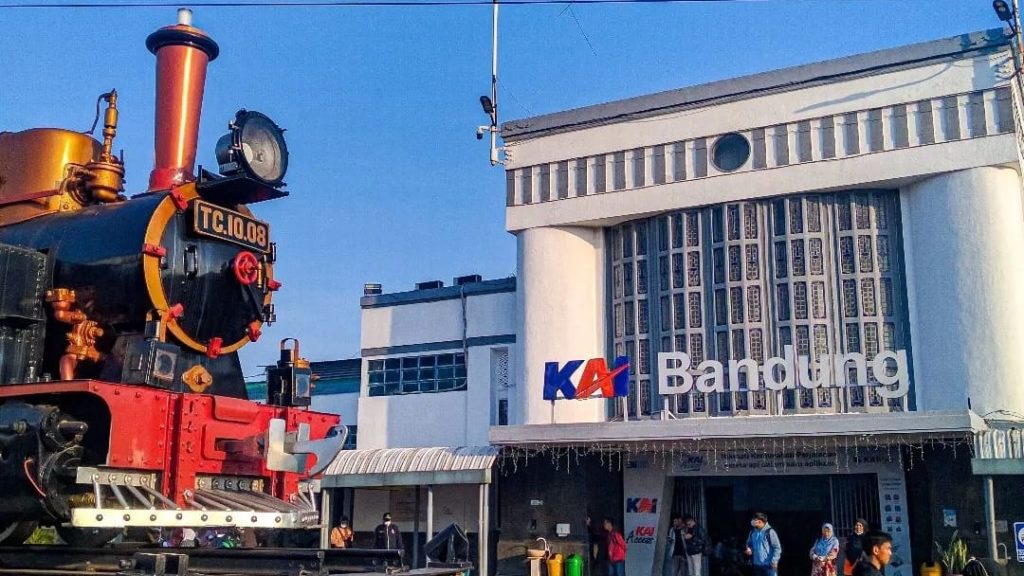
183 54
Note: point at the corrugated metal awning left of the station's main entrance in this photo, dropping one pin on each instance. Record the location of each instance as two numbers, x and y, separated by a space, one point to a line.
410 467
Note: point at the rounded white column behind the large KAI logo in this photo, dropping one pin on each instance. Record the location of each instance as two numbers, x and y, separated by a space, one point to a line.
562 316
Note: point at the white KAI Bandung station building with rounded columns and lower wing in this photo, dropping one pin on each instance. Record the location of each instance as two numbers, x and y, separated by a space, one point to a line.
837 251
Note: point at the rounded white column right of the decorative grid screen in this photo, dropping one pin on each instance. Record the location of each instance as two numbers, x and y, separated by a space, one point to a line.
964 239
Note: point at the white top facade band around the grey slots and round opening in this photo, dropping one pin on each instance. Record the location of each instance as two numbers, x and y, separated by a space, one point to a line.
859 97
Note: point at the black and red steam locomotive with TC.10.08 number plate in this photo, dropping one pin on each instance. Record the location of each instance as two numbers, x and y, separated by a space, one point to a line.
122 399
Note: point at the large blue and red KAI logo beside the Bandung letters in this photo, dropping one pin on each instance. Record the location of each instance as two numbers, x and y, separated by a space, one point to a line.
595 378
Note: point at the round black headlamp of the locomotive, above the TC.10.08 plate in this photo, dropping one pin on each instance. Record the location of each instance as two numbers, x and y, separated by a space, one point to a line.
255 147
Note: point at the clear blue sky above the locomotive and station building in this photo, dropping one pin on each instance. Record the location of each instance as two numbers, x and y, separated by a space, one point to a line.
389 183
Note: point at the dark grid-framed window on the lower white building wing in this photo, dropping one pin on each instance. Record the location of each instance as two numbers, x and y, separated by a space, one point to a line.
417 375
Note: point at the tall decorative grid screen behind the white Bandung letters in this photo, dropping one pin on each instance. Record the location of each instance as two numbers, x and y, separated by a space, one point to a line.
822 273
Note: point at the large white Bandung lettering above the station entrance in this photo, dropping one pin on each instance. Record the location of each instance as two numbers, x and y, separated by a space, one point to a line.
888 369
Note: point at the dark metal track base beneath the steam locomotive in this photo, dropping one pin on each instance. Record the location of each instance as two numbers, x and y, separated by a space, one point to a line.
129 561
